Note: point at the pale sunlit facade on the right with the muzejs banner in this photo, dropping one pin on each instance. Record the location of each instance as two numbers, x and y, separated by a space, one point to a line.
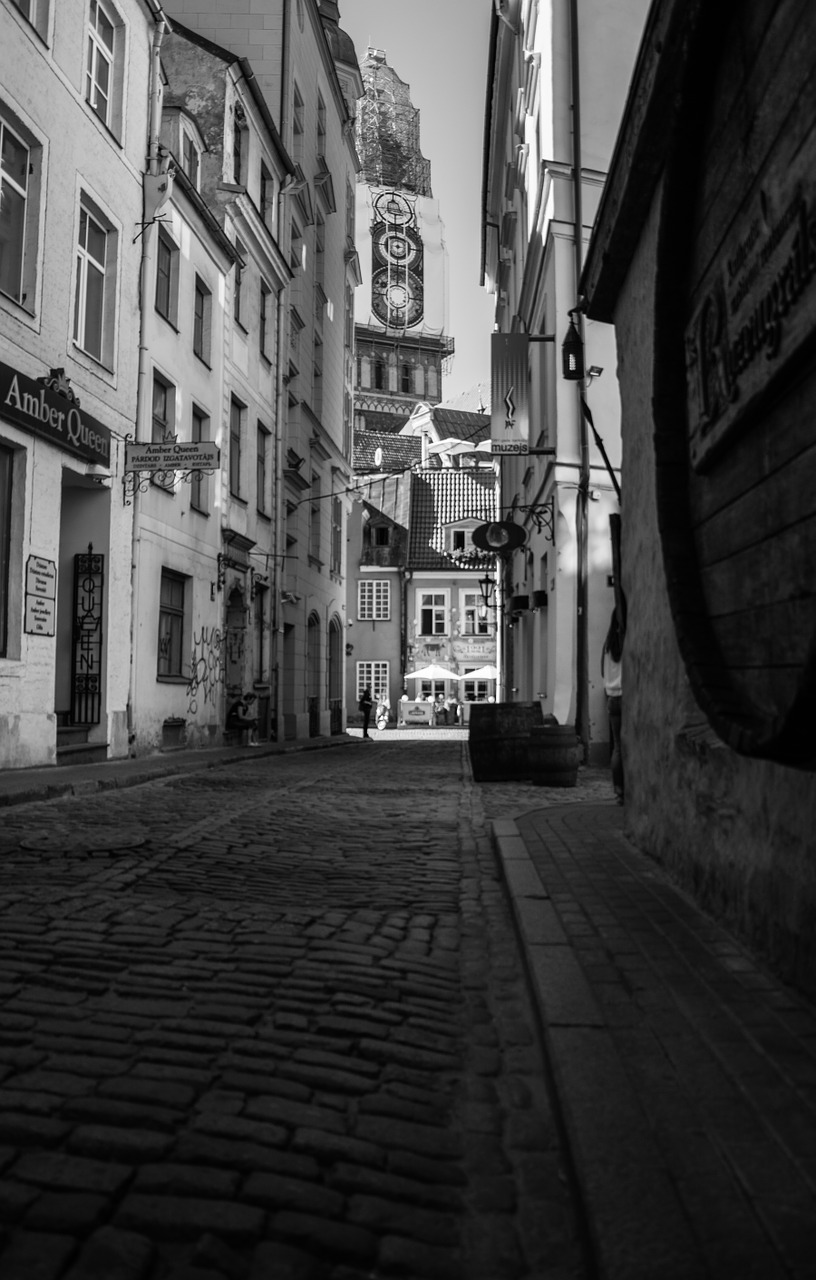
557 80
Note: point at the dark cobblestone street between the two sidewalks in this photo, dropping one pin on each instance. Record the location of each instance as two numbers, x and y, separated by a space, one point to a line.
269 1022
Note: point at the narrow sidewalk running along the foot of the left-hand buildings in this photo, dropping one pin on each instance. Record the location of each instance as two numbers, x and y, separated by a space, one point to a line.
21 787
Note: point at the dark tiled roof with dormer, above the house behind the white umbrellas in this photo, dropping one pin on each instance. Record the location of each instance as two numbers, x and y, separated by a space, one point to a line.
441 500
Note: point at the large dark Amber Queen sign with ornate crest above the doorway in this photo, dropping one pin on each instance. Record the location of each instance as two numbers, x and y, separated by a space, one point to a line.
40 409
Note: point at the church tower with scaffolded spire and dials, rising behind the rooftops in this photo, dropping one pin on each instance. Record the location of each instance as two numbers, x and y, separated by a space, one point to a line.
402 307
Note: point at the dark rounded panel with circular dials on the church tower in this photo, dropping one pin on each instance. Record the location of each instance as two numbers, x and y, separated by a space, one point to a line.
397 284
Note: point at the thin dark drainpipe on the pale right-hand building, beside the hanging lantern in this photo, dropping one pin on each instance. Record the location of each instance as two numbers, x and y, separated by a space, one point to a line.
583 647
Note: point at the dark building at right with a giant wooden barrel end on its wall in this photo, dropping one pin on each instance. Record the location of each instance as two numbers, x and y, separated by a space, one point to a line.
704 258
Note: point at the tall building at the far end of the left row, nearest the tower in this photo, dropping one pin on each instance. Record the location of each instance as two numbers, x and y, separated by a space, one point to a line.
308 75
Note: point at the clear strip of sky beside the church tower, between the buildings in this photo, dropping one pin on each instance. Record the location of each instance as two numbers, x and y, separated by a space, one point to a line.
441 49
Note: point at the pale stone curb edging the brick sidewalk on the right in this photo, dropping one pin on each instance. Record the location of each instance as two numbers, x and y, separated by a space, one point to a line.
636 1224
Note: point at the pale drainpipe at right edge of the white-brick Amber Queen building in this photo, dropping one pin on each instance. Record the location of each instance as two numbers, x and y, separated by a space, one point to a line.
154 161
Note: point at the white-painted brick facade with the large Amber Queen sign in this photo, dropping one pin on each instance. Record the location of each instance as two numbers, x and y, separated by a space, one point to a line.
70 308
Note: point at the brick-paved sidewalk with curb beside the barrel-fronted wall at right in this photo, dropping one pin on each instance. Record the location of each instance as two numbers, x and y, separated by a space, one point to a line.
686 1073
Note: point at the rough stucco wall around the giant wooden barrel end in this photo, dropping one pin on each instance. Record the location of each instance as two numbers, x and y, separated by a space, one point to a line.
737 833
